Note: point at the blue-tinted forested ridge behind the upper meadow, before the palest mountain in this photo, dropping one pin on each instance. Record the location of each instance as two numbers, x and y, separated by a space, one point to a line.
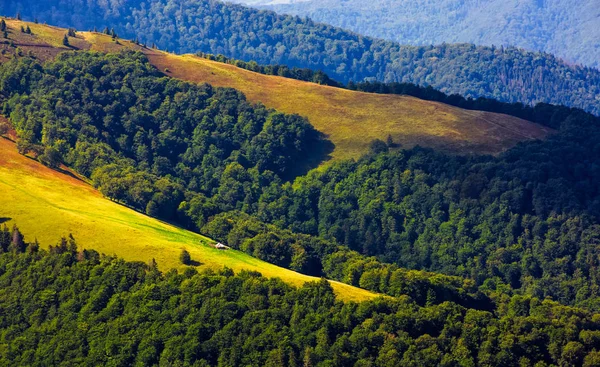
508 74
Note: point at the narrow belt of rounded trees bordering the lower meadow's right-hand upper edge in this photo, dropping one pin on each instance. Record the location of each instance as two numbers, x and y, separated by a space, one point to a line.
314 256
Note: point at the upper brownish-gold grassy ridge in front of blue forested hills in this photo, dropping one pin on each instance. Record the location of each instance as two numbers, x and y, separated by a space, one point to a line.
350 119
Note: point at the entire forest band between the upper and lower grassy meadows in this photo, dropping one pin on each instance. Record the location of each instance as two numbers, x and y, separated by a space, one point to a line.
525 222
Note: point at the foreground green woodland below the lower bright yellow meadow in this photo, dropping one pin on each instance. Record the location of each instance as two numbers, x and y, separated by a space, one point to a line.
72 307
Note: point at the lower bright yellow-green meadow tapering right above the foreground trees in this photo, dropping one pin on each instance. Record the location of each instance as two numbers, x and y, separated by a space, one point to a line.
47 204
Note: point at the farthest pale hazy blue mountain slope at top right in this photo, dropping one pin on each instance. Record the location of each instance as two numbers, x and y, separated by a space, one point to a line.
566 28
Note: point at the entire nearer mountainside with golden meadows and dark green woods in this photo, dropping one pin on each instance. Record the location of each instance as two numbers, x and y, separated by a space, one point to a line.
487 260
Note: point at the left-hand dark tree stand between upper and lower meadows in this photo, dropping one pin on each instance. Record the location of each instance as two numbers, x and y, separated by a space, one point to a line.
154 143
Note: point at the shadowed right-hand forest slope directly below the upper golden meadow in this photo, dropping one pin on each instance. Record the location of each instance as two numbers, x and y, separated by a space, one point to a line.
527 220
